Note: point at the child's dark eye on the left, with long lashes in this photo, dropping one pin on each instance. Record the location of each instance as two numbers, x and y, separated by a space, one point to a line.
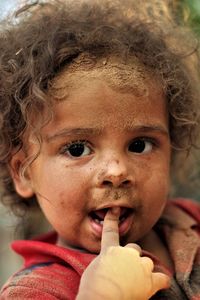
77 149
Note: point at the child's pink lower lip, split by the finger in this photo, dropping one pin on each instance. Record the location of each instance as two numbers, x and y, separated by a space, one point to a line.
123 226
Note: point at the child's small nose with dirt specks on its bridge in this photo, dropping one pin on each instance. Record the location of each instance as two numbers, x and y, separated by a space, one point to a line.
115 173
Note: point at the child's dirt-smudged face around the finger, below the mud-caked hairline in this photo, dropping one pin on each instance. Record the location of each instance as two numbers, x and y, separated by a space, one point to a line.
104 148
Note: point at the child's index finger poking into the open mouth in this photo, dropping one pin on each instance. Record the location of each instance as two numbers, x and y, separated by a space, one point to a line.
110 233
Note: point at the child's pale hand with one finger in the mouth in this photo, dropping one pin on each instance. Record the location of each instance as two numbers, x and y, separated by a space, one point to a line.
119 272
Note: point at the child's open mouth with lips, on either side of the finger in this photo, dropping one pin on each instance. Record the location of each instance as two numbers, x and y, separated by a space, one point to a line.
97 219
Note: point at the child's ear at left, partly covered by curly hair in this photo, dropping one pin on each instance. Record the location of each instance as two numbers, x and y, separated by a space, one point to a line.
21 182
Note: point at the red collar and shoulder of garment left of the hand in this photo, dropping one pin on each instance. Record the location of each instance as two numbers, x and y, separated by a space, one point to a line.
57 280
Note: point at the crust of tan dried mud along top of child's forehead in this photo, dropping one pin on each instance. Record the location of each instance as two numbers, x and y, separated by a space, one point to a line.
125 76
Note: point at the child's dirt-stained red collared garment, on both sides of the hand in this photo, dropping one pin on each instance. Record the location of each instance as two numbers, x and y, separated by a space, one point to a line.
52 272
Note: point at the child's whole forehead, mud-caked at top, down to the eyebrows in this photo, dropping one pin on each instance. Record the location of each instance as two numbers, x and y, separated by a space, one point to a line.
111 97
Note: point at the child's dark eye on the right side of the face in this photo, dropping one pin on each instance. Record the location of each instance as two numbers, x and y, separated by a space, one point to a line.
141 145
